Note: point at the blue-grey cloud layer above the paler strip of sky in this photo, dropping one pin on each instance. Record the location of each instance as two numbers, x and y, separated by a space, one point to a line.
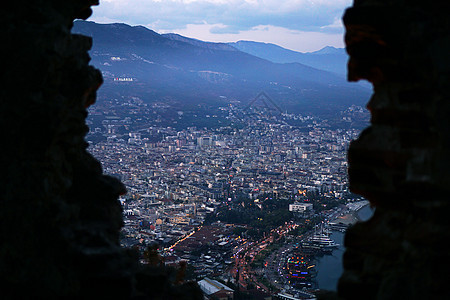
306 15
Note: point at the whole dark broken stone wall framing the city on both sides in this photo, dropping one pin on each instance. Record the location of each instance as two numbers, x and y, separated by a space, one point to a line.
59 215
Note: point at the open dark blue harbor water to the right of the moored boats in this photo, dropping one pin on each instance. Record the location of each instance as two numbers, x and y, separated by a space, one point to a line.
329 267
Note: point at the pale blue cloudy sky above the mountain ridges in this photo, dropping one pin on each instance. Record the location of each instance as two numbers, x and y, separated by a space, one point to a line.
301 25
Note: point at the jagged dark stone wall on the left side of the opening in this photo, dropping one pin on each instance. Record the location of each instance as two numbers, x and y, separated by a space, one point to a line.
59 215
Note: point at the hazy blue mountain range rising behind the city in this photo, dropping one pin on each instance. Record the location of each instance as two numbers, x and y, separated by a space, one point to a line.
181 71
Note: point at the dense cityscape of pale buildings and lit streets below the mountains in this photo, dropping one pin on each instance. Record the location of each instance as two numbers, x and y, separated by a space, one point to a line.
232 201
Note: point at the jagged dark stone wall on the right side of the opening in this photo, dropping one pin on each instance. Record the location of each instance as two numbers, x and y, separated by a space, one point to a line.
401 163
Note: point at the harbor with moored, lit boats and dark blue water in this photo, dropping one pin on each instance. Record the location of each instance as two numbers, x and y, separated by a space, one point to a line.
315 262
